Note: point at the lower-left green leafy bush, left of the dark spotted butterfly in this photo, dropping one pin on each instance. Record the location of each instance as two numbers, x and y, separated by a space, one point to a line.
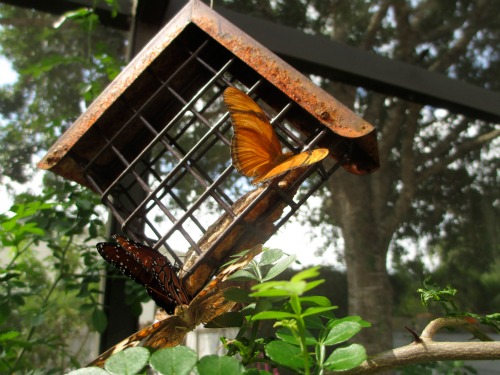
48 278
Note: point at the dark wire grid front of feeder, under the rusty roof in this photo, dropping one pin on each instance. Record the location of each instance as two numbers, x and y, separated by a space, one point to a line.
170 151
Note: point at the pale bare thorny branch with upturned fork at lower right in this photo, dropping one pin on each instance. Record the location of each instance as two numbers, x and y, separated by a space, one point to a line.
428 350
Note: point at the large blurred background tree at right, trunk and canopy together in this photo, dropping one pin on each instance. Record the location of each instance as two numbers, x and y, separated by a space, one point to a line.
438 185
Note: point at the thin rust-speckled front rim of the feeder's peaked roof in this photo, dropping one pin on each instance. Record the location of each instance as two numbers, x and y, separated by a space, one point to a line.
294 84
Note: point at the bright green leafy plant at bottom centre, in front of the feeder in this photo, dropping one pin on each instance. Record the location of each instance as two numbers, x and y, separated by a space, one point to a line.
306 329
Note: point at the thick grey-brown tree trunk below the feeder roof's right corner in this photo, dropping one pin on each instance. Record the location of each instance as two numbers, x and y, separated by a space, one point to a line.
366 244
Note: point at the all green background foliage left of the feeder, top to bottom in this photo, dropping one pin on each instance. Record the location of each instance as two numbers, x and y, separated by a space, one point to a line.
49 273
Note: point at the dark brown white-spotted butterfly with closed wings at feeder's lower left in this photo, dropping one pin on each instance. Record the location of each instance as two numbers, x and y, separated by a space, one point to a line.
149 268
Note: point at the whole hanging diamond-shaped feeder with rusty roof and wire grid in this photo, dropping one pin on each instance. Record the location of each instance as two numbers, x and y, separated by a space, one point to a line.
156 144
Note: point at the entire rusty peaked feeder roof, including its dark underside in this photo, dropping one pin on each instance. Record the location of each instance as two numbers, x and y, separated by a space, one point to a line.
330 112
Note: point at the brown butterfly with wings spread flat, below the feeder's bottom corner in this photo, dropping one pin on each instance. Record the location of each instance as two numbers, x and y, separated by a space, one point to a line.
206 306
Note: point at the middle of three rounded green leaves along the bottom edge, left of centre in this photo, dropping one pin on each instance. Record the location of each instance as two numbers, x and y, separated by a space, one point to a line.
179 360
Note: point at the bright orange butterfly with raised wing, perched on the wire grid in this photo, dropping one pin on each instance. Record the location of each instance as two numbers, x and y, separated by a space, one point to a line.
255 148
